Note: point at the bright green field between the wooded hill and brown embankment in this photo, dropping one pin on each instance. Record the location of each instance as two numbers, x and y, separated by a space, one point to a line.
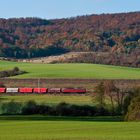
72 71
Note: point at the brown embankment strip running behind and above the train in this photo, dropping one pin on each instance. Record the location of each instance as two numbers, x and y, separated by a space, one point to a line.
89 84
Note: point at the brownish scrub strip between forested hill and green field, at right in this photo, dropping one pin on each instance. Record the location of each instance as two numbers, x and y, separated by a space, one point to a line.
104 58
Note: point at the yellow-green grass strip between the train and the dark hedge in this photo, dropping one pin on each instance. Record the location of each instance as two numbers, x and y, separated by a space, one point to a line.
50 99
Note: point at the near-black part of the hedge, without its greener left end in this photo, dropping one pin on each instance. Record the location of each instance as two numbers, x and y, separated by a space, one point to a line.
63 109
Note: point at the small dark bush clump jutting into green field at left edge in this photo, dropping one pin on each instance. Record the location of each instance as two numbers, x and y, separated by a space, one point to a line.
8 73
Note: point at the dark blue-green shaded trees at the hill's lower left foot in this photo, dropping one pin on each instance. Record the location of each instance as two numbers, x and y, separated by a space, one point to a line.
16 52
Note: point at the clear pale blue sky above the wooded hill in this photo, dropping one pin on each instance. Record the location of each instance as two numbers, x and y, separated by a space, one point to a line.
52 9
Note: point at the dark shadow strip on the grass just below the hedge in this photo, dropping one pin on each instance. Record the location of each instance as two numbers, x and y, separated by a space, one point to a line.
52 118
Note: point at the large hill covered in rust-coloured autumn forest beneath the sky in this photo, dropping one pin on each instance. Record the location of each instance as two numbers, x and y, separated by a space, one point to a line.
118 34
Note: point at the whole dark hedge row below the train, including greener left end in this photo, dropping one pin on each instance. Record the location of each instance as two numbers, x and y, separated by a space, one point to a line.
62 109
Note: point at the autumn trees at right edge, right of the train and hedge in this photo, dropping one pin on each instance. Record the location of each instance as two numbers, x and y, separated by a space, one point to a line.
125 102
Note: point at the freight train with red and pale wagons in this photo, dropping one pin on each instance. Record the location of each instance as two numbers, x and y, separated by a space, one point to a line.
28 90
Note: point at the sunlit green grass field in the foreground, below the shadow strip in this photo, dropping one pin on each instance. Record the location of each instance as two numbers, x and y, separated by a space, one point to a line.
73 129
